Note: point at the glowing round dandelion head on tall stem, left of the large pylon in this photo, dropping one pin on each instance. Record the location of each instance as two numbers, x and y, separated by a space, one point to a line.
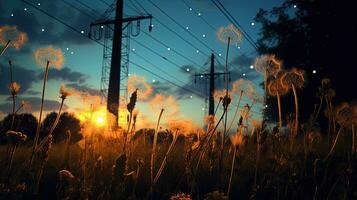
49 54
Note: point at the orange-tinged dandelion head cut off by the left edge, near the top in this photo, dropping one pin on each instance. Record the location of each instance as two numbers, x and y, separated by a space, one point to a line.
10 33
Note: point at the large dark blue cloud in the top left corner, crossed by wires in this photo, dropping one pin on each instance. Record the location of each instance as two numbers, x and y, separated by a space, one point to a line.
32 22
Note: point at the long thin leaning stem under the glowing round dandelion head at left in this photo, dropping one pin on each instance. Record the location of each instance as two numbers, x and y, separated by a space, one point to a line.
40 116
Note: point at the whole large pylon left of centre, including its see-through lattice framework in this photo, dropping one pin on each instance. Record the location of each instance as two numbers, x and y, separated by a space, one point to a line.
115 66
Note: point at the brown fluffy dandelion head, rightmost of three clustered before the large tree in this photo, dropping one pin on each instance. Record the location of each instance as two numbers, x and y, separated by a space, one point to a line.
295 78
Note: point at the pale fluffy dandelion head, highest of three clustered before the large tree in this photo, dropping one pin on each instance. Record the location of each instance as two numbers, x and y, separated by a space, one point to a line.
268 65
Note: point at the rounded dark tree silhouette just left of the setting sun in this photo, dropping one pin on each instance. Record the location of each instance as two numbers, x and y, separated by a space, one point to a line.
66 122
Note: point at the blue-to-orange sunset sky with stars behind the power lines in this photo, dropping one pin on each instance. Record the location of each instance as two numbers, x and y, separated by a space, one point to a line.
165 58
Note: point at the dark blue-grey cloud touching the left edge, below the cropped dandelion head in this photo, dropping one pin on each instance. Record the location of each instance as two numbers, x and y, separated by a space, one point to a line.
25 77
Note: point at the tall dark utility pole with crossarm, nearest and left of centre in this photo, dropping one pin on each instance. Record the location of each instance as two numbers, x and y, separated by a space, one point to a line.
120 23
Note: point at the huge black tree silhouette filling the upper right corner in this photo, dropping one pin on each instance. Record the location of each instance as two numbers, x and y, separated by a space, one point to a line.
312 35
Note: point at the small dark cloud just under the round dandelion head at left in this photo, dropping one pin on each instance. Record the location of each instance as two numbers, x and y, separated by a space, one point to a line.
65 74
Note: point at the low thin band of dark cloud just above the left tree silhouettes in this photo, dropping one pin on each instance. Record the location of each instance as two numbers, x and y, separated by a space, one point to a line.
35 102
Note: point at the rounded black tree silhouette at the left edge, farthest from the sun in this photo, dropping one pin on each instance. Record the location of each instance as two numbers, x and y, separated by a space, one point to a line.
25 123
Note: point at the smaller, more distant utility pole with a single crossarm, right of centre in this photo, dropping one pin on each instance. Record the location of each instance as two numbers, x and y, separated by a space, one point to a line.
212 75
